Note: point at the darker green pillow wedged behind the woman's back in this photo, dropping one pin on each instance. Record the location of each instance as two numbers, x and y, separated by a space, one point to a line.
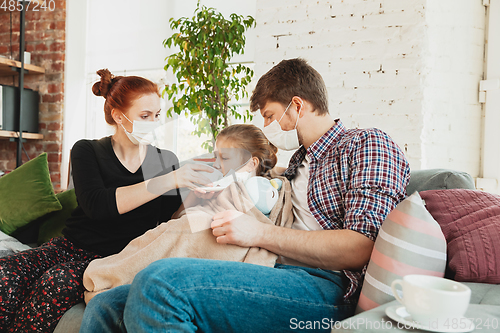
55 222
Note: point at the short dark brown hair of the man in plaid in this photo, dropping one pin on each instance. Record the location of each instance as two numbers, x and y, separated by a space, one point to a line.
289 78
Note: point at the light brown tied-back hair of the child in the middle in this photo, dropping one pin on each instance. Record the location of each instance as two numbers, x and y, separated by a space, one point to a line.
252 139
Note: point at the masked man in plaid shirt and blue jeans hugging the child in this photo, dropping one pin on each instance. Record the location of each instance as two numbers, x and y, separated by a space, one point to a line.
344 184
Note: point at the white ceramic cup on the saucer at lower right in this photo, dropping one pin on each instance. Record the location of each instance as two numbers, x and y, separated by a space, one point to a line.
431 299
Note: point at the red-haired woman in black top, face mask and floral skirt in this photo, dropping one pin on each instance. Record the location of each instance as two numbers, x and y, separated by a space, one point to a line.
124 187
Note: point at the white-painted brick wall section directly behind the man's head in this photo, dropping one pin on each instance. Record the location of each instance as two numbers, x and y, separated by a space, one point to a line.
368 53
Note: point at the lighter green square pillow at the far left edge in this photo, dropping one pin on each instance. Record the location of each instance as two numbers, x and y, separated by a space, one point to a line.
26 194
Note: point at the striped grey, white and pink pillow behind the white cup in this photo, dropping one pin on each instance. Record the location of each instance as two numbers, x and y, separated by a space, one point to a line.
410 241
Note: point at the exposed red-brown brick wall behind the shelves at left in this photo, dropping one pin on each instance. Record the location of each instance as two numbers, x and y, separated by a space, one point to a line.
45 39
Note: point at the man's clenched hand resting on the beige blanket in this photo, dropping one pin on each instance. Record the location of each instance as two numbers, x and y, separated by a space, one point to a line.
233 227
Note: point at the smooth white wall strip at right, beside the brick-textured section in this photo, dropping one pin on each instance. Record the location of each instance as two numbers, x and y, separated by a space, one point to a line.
453 66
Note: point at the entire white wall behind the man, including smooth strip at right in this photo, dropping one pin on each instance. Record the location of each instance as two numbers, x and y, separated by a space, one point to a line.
379 60
